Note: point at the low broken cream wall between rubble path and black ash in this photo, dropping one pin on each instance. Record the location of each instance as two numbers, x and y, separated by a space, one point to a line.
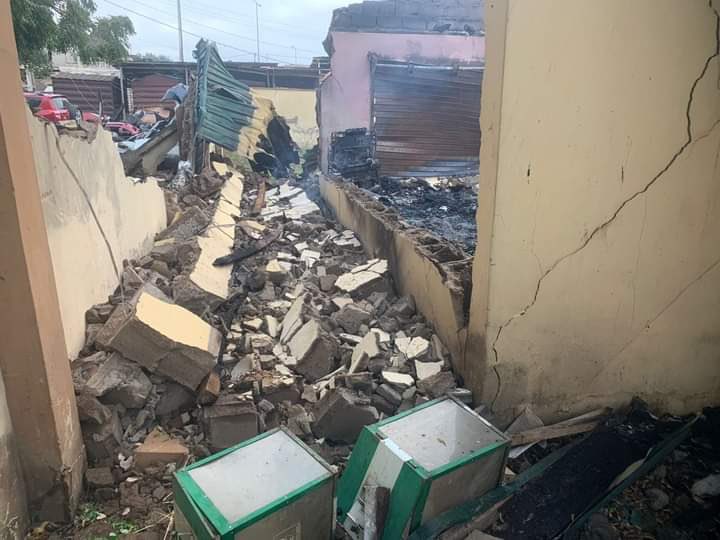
433 271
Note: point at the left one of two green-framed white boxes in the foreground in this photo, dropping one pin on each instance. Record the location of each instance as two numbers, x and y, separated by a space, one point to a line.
270 487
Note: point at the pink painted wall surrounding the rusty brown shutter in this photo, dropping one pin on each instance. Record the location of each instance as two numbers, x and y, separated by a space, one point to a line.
345 93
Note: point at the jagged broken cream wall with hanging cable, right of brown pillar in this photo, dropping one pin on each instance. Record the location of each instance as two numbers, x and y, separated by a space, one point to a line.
128 214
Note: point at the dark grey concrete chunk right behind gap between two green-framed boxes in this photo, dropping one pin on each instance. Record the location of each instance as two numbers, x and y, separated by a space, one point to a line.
340 416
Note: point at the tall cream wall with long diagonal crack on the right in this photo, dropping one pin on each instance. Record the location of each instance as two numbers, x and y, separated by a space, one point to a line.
597 274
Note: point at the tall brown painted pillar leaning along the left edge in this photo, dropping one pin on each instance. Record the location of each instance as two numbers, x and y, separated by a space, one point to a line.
33 358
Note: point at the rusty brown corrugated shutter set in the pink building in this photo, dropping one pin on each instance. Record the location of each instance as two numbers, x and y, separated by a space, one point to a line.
426 119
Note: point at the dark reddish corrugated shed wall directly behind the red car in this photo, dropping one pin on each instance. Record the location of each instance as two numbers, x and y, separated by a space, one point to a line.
88 90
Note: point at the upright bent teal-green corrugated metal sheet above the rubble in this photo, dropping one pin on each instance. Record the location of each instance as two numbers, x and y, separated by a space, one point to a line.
225 105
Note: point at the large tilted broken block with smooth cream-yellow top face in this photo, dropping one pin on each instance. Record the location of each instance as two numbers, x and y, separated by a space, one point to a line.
163 338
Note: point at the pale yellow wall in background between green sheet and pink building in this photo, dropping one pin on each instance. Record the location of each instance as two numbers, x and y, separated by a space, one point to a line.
298 109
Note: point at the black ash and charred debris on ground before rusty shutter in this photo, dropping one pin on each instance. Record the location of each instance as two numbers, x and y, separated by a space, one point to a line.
445 206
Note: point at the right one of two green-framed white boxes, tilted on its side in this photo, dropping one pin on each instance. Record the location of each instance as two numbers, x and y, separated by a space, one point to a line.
432 458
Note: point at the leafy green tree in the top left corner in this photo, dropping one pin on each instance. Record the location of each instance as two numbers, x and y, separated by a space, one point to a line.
46 26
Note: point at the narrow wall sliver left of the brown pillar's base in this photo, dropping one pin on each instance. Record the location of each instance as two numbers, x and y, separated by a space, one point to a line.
13 511
